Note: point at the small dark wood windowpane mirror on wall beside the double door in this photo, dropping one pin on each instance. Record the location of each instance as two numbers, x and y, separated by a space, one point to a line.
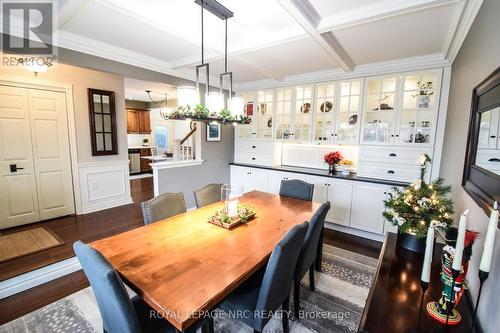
99 128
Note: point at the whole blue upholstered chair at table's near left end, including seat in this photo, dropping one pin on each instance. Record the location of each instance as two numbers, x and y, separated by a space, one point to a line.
119 312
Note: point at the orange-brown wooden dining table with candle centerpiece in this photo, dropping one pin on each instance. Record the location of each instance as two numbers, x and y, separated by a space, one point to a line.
184 266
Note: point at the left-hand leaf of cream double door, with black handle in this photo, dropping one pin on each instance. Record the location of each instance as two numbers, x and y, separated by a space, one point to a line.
18 195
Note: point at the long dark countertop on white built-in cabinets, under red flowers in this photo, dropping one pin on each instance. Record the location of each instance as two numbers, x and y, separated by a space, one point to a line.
323 173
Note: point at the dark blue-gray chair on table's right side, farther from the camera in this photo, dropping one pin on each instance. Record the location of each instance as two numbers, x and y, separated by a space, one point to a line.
308 254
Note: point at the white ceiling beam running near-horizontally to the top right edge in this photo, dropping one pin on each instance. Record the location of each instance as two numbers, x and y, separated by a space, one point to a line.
375 12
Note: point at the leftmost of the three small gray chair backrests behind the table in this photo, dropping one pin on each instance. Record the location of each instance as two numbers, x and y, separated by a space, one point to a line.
163 206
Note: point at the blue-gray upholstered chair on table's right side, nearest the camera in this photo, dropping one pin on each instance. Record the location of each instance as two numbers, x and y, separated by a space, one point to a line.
258 296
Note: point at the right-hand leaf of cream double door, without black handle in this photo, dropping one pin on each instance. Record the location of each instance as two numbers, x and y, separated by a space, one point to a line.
49 134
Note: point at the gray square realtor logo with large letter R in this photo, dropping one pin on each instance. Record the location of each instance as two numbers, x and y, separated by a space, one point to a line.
28 27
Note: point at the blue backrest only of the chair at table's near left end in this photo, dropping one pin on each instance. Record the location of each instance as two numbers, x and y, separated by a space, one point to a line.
117 311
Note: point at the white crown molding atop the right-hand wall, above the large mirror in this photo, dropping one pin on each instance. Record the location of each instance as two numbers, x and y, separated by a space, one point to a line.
462 22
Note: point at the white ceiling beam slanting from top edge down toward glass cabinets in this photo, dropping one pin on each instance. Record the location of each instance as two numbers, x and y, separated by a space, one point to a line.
307 17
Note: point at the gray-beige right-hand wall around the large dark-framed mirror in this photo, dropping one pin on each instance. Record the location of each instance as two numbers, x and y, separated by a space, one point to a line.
478 57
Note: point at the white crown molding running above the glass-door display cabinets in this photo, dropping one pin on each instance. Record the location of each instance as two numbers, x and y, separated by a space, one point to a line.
394 66
